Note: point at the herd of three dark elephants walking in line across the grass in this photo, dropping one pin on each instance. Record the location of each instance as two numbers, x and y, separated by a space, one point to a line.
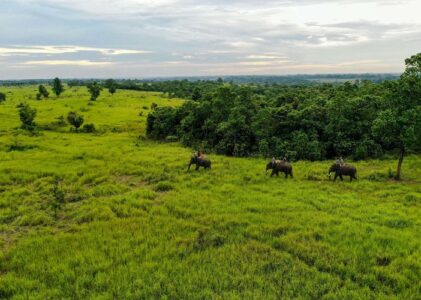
281 166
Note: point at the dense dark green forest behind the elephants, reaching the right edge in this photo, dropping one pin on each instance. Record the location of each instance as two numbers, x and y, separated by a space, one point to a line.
358 119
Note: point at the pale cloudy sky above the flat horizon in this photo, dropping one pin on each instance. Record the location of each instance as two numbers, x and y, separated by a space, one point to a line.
154 38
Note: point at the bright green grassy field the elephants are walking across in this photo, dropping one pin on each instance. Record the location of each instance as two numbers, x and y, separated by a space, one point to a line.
135 225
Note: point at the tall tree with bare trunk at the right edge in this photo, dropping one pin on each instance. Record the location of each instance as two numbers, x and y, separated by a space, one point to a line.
398 125
